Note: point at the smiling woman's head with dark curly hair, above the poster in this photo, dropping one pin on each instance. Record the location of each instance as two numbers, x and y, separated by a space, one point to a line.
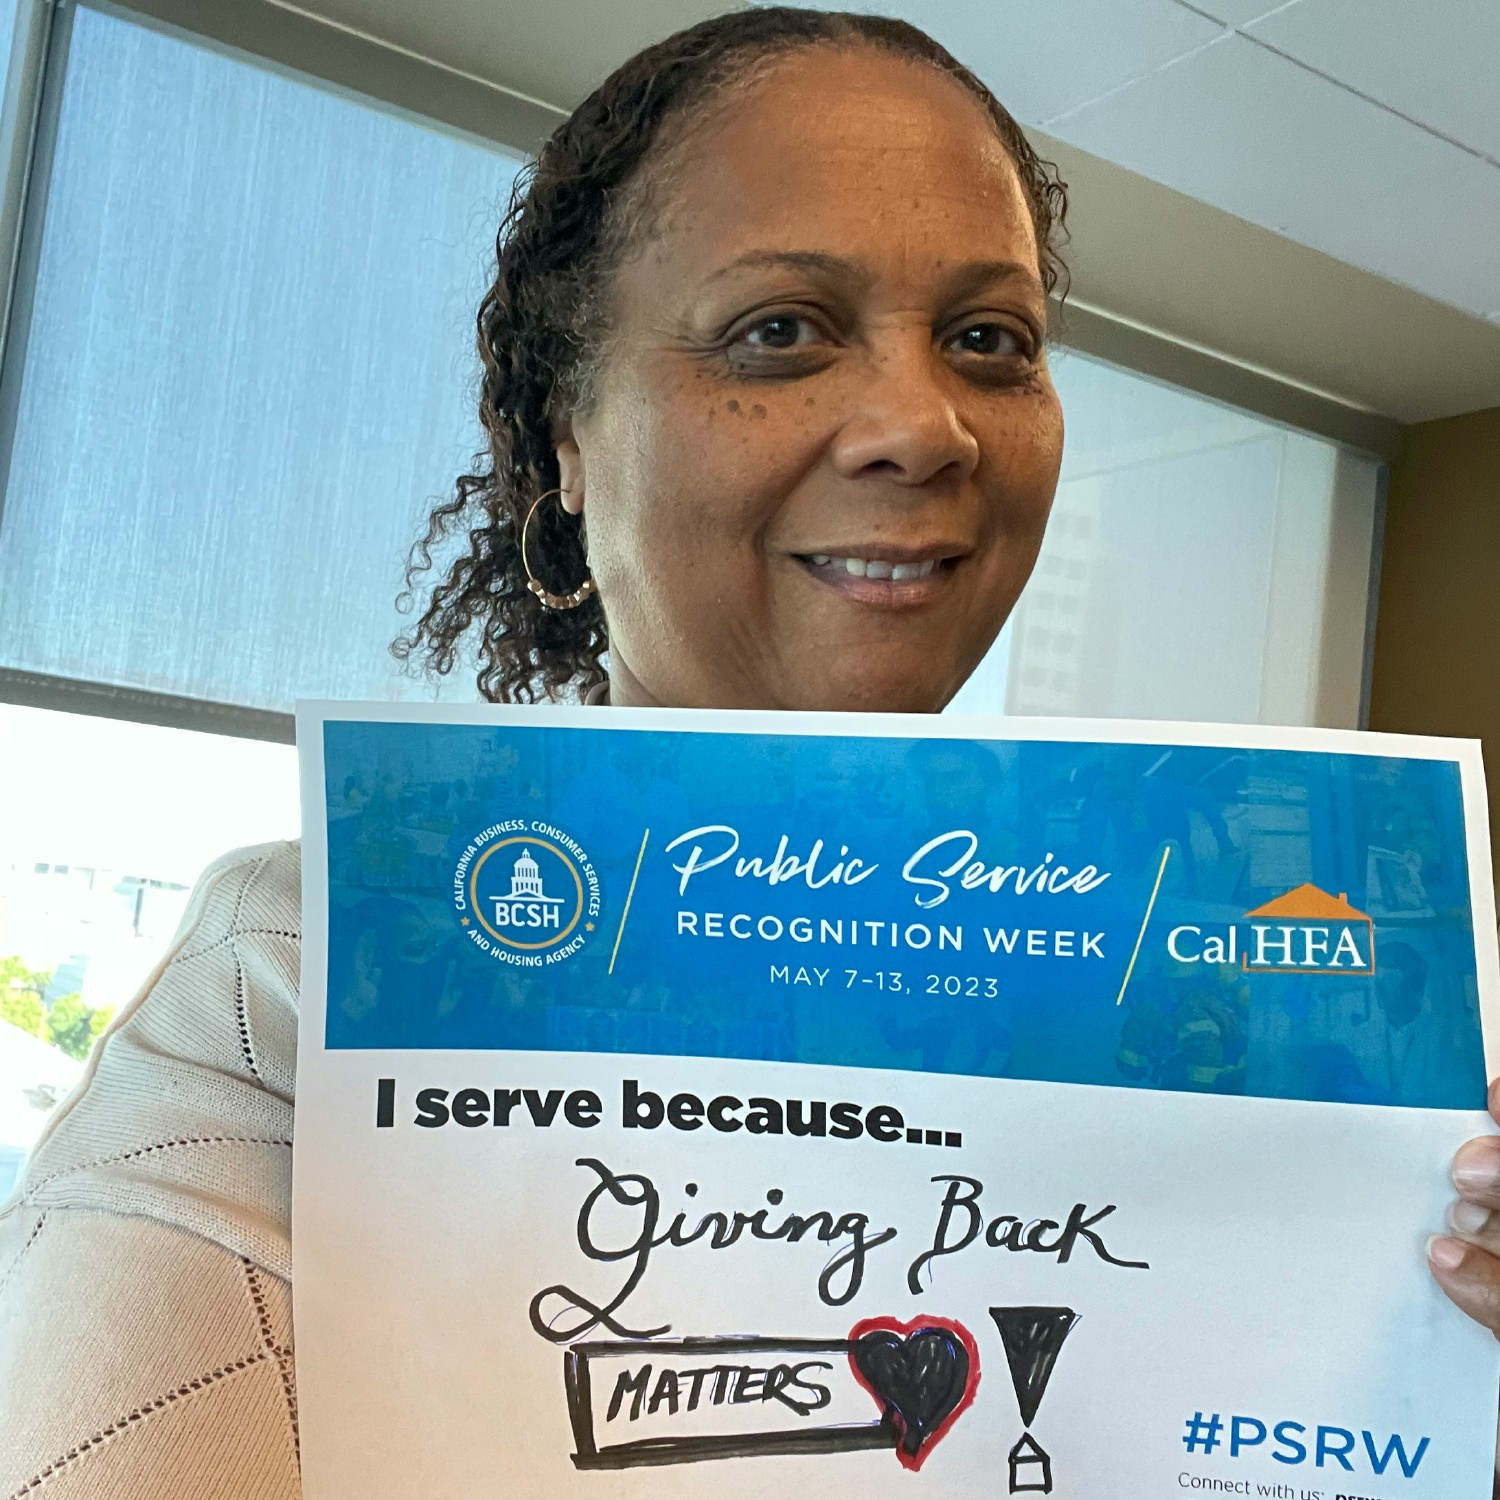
770 362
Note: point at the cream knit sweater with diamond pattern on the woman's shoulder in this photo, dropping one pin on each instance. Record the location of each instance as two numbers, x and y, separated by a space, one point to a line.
146 1342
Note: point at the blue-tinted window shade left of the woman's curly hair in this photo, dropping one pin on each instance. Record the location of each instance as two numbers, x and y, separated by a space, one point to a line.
250 373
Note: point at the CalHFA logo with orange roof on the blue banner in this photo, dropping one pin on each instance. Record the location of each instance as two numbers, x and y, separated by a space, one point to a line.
1303 932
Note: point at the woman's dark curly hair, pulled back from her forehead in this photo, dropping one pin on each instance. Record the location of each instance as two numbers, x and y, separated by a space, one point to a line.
574 217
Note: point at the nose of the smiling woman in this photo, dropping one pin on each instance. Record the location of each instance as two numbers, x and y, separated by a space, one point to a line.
905 425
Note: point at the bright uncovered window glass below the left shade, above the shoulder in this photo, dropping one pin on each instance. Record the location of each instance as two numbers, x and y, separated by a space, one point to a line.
104 829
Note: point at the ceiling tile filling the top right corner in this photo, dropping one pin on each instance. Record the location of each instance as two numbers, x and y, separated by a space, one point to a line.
1438 64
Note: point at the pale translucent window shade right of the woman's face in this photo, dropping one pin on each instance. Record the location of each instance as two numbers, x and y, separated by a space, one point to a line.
1201 565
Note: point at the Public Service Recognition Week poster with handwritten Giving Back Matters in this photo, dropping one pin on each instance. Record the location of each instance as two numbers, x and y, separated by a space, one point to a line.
755 1105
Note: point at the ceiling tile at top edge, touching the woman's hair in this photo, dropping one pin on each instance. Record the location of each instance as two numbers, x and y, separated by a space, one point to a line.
1043 61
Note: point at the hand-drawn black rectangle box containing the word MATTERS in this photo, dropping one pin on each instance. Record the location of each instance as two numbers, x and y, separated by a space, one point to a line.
718 1382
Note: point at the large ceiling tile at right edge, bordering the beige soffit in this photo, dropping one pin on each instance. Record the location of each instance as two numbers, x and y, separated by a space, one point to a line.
1255 134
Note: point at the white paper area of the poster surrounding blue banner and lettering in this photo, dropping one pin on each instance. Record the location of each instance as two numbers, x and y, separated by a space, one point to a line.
1286 1283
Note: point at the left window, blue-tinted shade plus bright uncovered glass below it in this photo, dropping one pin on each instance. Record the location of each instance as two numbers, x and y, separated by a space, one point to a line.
202 500
